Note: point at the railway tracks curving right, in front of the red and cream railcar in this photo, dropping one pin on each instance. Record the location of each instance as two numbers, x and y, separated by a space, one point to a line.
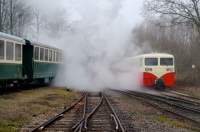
185 109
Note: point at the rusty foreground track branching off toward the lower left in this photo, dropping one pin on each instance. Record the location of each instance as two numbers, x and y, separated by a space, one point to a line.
63 121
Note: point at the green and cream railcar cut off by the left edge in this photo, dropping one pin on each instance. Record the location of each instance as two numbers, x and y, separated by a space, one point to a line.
10 59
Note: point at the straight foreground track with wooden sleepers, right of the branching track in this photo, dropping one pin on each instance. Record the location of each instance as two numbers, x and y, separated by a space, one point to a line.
103 118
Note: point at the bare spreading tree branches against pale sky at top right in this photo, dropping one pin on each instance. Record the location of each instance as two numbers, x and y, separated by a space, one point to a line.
173 12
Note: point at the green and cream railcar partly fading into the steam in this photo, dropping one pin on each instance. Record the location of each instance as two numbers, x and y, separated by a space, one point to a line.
41 62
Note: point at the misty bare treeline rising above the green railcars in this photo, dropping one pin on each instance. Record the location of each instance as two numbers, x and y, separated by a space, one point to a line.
19 18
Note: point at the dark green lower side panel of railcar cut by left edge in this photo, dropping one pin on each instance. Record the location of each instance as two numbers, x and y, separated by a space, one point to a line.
10 71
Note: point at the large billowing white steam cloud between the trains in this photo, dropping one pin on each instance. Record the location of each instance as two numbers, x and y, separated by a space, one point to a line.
102 36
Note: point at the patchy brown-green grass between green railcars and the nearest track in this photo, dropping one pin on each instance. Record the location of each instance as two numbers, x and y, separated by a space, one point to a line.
17 109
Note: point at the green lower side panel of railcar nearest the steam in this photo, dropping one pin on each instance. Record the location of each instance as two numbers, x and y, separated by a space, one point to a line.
45 69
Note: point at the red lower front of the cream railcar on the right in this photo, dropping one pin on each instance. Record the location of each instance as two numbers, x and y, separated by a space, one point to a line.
147 79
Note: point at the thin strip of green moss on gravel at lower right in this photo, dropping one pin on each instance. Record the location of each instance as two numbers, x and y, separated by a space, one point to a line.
174 122
